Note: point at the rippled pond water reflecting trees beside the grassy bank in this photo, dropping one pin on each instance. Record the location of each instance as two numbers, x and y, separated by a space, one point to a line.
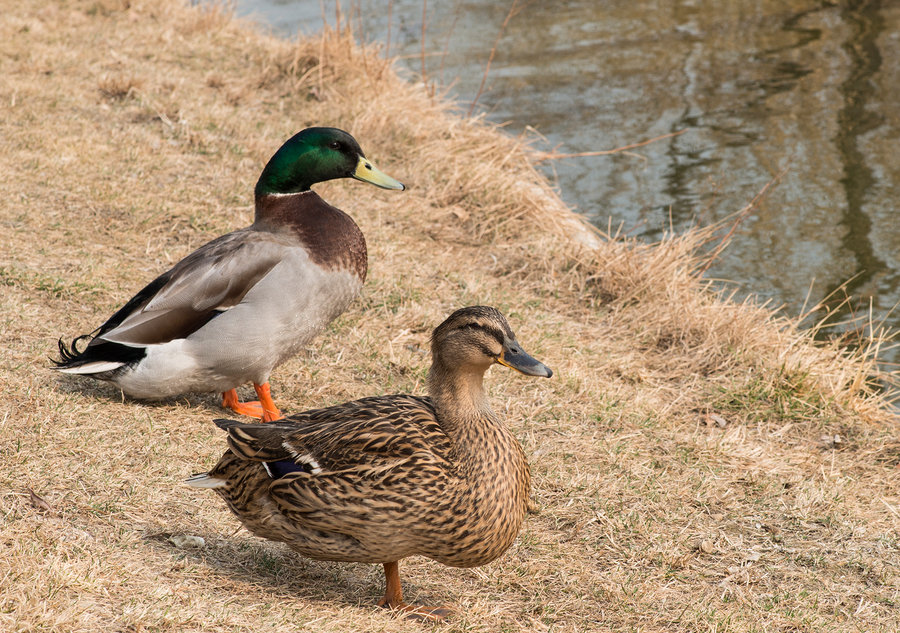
809 90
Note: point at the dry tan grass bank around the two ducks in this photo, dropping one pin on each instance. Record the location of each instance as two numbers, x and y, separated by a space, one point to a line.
684 458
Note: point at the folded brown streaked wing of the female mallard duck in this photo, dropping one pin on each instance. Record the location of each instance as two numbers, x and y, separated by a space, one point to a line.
368 461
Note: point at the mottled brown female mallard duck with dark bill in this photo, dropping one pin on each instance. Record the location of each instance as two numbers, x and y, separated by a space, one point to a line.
382 478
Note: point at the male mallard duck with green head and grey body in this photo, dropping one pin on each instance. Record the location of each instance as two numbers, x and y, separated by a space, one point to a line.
242 304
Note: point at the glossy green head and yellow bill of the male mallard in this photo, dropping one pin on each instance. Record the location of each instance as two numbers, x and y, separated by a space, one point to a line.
315 155
